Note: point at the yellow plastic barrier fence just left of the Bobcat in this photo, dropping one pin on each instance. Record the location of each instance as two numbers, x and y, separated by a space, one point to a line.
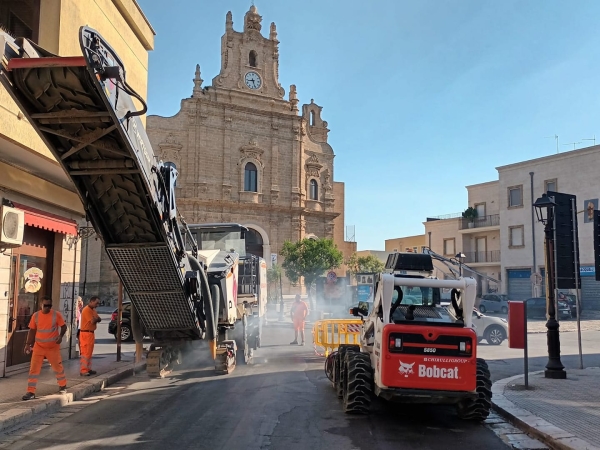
329 334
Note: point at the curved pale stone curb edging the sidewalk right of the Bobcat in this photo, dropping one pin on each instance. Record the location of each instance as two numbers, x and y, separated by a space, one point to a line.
552 436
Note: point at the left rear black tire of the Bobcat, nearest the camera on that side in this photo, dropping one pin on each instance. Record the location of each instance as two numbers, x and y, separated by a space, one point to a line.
358 384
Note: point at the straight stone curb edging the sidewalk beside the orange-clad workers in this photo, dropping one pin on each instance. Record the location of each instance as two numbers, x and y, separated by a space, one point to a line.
25 411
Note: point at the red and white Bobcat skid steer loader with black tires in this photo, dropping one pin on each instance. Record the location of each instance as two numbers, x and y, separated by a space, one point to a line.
411 349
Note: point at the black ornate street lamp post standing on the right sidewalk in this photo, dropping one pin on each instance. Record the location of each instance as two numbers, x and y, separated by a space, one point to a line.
544 209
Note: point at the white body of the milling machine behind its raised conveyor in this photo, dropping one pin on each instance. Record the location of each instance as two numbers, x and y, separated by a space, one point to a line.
239 279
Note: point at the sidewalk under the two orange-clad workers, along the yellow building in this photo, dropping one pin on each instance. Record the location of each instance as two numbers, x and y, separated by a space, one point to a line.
14 411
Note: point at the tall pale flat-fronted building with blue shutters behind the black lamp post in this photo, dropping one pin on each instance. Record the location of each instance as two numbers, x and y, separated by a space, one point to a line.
520 184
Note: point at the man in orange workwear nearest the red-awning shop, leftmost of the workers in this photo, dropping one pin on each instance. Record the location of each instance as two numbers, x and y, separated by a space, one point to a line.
44 333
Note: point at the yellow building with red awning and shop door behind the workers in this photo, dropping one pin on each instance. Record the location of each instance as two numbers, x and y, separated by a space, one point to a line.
31 181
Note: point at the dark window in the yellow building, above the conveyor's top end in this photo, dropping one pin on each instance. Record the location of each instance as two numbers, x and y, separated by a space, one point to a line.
21 18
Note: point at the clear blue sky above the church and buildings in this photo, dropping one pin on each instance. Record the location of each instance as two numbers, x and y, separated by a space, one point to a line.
422 97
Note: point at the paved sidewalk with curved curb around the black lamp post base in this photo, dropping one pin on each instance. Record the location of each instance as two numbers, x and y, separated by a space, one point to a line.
563 414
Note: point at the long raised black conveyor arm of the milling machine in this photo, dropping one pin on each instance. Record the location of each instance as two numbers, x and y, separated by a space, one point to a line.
82 107
